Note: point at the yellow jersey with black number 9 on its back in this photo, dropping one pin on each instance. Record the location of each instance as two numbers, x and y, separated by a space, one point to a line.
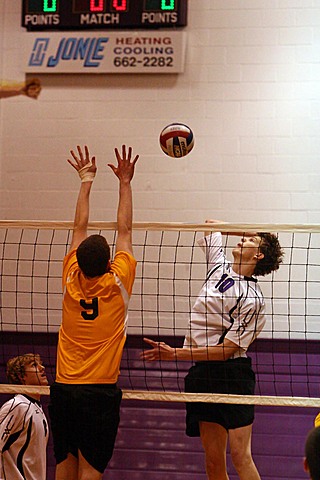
94 318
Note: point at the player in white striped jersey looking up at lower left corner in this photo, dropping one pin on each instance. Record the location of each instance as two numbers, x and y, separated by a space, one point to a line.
23 425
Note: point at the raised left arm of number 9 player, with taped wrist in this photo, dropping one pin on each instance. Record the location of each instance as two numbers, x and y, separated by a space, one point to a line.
86 169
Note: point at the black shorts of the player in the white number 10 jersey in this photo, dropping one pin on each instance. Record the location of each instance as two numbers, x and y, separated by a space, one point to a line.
233 376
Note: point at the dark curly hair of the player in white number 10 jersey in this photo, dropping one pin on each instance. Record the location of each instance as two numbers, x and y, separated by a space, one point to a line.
273 254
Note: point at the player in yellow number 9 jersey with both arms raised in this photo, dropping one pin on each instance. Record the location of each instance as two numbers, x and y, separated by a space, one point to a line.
85 399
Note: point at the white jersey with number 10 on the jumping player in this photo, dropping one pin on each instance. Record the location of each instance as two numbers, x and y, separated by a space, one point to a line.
228 306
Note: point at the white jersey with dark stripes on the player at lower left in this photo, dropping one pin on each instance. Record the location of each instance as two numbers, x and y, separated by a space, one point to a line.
23 440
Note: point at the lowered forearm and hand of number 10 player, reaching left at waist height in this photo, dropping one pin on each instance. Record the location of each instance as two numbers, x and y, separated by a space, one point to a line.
162 351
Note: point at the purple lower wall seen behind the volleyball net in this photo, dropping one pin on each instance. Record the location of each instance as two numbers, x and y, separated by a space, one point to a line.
151 442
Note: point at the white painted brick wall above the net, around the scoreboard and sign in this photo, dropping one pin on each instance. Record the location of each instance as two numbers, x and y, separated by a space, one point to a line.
250 92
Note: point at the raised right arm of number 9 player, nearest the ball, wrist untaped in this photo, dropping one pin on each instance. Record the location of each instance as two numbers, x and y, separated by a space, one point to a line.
124 171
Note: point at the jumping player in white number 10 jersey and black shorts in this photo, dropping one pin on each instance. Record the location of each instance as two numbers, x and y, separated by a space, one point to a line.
226 318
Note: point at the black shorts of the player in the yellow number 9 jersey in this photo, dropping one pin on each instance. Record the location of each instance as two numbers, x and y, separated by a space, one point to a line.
85 418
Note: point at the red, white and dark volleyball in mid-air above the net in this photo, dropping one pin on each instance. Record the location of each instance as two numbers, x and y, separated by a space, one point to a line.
176 140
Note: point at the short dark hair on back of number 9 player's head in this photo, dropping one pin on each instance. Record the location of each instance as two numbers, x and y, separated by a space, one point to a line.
93 255
